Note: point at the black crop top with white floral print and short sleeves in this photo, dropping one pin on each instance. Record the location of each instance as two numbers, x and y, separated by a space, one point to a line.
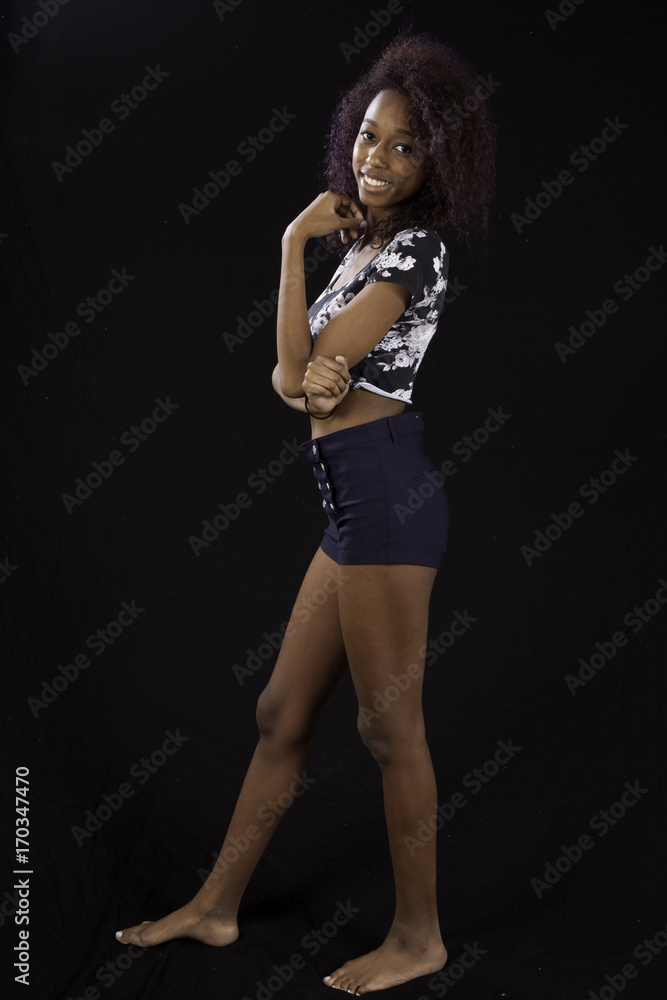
417 259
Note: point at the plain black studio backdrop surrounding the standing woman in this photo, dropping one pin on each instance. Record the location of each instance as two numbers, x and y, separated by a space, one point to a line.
139 343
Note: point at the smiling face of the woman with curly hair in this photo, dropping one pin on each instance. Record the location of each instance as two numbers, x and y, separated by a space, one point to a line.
387 167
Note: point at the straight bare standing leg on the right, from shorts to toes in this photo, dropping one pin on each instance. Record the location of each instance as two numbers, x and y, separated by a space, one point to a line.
384 617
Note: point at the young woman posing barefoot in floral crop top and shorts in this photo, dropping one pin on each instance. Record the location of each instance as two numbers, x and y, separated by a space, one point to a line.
411 147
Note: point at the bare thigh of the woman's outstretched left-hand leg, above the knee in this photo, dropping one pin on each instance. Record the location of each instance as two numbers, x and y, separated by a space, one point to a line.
312 655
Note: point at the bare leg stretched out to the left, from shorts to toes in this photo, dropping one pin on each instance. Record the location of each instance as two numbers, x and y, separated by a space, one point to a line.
309 665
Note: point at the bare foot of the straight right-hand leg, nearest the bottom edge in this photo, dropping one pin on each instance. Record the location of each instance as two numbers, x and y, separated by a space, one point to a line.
389 965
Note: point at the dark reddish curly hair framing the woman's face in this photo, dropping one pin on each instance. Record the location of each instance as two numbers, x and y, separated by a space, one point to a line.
458 145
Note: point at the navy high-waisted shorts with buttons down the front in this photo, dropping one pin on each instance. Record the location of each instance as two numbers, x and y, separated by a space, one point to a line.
384 500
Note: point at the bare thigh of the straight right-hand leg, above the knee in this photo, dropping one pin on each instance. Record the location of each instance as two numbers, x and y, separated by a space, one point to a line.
384 619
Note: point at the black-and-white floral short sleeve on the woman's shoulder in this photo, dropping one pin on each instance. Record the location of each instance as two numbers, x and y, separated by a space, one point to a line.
416 259
